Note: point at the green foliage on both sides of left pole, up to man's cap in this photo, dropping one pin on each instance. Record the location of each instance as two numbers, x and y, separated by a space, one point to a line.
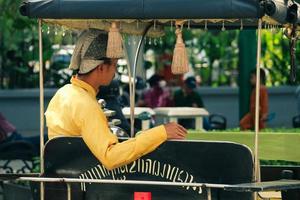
19 52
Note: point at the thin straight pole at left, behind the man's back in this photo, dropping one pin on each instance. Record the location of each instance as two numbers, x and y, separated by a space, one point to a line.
41 77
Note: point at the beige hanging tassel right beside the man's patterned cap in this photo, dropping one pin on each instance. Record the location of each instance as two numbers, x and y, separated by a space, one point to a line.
114 44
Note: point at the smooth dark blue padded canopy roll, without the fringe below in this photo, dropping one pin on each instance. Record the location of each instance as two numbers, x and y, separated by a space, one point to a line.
142 9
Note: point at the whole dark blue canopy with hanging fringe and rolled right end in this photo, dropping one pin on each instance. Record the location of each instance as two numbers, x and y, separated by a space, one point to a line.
275 12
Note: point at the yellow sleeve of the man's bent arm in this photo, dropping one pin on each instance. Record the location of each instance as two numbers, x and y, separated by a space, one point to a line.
105 146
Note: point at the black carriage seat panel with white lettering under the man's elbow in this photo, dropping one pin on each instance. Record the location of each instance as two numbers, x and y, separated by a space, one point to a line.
177 161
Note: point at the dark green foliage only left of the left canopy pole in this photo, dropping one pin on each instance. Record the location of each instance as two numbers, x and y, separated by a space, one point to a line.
17 38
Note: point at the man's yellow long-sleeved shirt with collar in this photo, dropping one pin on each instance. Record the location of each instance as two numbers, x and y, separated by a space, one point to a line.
74 111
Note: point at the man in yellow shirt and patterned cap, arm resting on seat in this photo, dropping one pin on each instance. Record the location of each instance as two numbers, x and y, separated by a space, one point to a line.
74 110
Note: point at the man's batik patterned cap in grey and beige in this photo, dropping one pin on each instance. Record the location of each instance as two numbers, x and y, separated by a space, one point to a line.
90 51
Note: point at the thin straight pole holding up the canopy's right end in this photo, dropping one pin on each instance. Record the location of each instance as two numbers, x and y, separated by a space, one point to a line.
256 161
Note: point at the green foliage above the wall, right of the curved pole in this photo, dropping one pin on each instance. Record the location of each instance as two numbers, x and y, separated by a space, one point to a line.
213 55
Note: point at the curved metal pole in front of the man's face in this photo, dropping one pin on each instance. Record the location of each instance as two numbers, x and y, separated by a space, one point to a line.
132 83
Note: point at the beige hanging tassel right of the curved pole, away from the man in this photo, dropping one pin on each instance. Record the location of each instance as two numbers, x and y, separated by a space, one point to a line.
180 63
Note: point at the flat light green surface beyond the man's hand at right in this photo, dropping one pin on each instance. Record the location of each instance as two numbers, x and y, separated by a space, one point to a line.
276 146
